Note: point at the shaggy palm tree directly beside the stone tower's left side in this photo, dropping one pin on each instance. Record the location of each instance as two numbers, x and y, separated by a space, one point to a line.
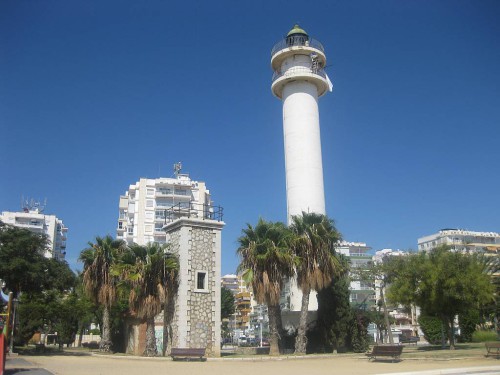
152 274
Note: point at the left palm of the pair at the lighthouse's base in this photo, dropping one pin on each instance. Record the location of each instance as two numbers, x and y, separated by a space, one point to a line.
266 260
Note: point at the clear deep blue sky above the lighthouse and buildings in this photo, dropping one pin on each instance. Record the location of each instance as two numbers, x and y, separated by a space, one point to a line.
96 94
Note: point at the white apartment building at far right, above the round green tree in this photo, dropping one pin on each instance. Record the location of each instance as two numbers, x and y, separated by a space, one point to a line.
462 240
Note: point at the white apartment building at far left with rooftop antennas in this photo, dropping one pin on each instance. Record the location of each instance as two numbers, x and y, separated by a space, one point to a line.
33 219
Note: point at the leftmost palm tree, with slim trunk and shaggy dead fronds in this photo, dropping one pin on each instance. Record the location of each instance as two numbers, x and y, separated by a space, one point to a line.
98 282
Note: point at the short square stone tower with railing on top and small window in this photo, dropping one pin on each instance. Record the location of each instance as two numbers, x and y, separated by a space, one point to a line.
196 320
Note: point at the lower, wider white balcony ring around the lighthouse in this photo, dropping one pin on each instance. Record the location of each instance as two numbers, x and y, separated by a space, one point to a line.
316 76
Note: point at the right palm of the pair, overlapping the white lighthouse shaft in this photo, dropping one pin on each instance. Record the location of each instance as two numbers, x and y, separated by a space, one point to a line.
315 238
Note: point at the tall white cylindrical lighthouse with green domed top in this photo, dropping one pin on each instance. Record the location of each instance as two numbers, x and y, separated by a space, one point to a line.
299 80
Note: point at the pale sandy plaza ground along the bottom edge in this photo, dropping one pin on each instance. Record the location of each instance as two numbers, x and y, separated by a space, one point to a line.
348 365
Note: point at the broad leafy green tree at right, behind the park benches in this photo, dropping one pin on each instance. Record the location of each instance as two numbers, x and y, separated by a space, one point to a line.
444 284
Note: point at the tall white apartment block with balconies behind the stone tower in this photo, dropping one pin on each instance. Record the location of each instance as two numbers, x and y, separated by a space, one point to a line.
149 204
